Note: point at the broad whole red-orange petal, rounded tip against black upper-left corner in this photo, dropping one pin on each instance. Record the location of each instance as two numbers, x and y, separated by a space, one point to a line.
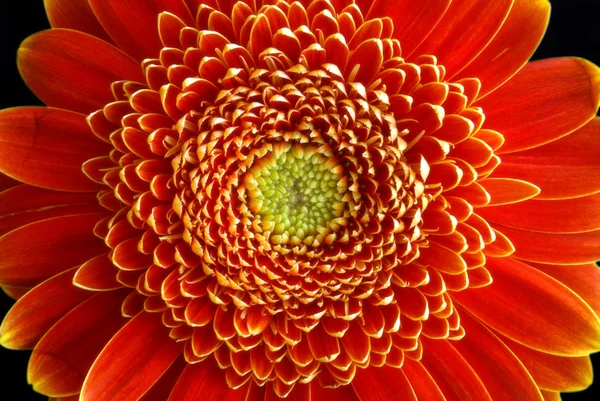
72 70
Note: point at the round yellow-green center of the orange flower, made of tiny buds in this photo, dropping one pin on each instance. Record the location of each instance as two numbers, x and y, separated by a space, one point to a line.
295 194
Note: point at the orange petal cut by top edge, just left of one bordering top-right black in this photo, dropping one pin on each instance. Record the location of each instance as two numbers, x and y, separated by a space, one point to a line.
456 40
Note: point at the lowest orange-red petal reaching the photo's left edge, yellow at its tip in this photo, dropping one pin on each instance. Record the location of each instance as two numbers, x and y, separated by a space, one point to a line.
37 311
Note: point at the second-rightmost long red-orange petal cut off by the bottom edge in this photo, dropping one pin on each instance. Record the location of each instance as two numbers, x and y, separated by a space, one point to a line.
451 372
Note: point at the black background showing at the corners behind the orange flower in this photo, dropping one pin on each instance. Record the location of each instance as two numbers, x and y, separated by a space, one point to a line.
573 31
